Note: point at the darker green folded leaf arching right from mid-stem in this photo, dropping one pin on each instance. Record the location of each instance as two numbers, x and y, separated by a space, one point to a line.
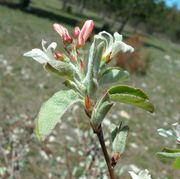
132 96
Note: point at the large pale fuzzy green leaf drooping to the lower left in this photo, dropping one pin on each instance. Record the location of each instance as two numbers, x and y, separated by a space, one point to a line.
52 110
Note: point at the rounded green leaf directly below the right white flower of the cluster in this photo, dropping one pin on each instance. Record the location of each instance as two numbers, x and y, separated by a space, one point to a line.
113 75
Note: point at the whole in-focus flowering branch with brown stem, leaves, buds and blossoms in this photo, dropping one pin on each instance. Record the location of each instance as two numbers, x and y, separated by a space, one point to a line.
84 76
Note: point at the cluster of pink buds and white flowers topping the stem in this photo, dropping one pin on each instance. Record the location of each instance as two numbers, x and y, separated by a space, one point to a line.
80 72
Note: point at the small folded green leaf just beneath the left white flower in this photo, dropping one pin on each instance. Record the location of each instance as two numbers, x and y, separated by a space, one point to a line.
64 70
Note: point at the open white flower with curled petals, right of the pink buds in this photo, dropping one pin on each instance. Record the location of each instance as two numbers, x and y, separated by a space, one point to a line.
114 45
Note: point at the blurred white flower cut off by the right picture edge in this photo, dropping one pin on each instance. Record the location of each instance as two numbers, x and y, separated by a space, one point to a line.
175 133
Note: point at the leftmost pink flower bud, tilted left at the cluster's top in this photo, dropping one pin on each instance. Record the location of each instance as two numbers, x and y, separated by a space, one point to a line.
63 32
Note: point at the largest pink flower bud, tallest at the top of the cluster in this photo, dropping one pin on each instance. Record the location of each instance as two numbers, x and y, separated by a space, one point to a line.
85 32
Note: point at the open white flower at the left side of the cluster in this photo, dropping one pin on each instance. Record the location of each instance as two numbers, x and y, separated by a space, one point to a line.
42 56
